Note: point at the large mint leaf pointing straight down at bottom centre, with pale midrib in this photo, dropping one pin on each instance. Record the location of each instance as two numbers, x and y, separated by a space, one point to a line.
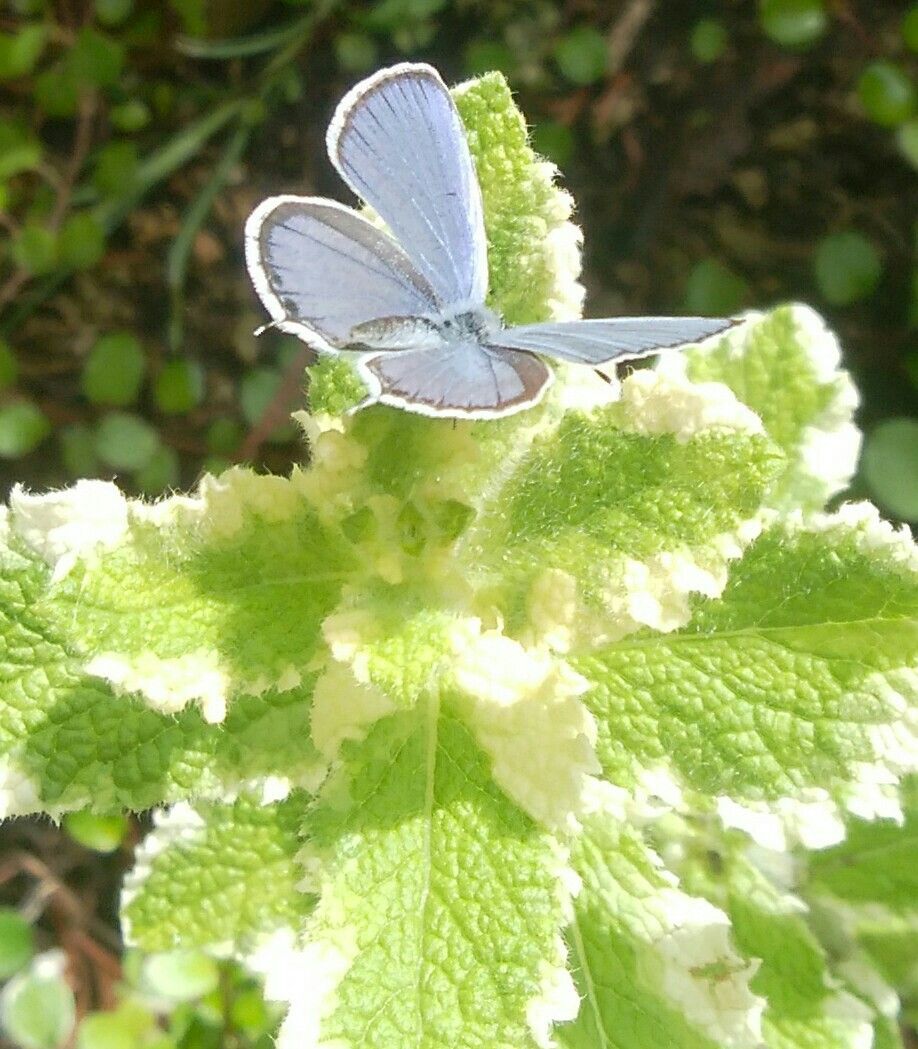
440 914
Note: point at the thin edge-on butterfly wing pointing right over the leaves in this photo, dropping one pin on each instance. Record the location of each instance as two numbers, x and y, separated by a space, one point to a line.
597 342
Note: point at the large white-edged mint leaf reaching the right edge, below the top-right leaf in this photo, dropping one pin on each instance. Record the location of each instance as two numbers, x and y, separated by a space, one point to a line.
796 682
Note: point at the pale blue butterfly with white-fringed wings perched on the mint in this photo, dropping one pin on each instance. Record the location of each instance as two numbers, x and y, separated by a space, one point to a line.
411 303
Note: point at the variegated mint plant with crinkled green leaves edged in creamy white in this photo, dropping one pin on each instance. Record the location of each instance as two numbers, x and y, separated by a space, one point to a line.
544 732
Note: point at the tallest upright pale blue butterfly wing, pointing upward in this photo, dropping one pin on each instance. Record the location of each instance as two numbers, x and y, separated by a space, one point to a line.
399 143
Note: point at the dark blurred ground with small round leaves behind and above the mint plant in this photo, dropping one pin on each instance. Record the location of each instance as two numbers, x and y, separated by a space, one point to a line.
723 156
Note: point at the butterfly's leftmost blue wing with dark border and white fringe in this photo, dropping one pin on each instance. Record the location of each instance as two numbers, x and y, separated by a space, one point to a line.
322 270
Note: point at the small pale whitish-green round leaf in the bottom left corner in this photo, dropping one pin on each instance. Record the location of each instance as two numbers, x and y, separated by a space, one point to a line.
37 1009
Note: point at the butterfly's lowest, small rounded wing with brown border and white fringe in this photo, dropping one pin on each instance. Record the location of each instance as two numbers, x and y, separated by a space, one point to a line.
461 380
